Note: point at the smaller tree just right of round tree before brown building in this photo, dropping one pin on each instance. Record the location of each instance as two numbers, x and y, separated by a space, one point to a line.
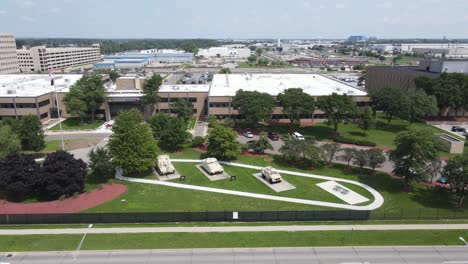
421 105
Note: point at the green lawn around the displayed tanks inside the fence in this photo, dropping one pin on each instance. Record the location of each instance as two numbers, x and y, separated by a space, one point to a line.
423 202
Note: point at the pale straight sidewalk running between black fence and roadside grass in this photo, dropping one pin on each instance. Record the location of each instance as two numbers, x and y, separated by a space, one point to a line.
230 229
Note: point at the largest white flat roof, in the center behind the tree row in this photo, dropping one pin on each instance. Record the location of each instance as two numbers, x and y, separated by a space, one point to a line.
273 84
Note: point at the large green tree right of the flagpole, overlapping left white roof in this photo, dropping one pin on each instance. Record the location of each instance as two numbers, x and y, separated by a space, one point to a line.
88 90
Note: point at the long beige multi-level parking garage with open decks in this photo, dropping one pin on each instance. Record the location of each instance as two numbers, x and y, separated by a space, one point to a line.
42 59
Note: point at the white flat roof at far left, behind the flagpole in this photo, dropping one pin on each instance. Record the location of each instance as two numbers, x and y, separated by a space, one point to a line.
33 85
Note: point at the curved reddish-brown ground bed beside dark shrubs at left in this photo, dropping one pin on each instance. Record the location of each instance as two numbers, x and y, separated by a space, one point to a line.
70 205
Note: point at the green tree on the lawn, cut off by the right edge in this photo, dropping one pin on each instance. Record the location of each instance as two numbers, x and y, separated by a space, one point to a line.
456 172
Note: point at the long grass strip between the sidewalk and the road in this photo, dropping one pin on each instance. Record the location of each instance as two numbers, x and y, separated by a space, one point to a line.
231 240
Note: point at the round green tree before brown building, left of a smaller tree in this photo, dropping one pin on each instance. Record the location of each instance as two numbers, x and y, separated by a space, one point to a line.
392 101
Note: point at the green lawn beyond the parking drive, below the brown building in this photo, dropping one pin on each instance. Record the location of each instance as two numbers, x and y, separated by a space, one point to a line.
381 133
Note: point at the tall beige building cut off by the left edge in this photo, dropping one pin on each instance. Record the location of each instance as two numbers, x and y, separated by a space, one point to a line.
8 57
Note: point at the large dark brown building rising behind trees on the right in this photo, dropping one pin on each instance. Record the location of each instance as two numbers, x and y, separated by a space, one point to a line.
378 77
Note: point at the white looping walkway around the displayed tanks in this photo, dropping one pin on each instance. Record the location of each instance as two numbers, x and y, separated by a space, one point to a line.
378 199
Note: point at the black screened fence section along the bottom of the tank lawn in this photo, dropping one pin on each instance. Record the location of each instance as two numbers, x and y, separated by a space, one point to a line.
154 217
